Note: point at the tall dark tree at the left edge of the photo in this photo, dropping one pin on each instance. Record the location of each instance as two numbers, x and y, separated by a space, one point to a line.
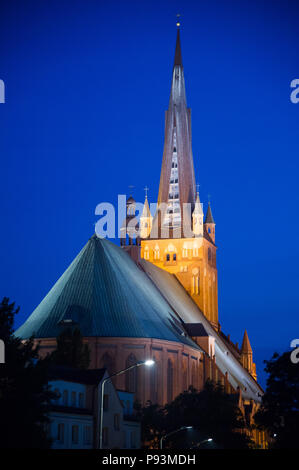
24 393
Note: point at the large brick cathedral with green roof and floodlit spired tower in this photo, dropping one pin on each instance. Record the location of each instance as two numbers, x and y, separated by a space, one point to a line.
156 295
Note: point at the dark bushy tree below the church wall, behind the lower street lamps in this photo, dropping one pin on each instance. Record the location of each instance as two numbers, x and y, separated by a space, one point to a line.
212 413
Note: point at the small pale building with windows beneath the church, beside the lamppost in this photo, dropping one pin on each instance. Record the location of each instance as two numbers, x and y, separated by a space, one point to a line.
75 413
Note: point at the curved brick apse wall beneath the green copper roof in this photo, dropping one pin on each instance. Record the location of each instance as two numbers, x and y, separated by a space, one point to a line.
177 366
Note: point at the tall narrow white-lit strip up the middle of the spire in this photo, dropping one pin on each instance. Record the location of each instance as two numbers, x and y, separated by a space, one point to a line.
173 216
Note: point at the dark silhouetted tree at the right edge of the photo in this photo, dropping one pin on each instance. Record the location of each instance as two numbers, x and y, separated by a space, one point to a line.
279 412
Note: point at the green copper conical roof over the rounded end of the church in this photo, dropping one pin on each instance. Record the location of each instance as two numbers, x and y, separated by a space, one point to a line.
104 293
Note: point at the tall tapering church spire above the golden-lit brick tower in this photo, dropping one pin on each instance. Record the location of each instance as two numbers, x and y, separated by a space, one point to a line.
177 180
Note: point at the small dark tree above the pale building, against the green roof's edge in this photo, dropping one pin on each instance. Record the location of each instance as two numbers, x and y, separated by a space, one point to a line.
70 350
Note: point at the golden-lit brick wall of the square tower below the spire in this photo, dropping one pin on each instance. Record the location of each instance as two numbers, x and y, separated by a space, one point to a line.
193 261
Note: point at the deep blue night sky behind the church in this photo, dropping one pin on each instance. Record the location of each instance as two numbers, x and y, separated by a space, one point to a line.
87 84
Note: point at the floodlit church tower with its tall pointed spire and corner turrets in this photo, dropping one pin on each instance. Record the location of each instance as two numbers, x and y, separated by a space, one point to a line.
178 241
